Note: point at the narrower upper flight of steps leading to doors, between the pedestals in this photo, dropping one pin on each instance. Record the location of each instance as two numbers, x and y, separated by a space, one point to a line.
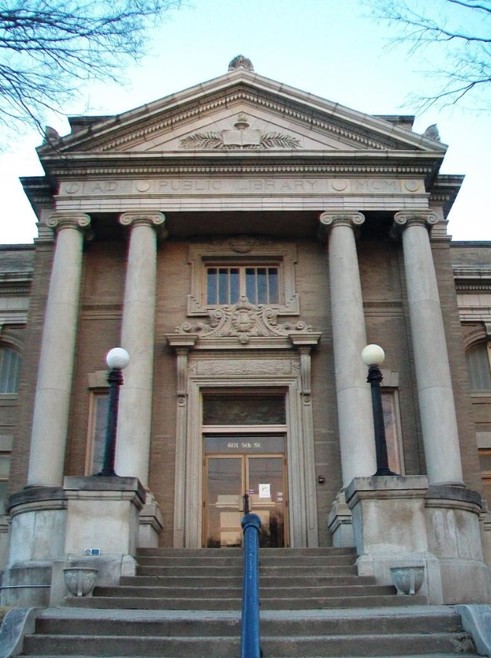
211 579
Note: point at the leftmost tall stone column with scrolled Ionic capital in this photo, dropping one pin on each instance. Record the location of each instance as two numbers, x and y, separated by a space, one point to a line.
52 401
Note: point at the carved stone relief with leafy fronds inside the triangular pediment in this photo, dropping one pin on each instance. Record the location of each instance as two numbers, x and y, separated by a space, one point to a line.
242 137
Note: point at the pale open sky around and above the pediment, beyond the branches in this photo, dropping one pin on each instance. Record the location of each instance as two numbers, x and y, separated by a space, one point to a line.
331 48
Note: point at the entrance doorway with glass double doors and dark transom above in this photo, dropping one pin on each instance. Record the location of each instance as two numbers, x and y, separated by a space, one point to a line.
244 447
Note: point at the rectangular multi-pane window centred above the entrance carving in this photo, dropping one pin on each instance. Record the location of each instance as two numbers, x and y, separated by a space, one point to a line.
227 284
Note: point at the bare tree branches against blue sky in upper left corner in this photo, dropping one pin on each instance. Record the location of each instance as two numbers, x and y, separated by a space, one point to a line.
49 47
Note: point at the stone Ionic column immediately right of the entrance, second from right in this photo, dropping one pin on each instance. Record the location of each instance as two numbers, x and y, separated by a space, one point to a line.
355 420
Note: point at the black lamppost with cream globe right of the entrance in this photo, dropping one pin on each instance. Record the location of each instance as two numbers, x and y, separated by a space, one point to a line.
373 356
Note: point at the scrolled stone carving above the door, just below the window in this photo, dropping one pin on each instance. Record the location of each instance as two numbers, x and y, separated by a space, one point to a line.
243 321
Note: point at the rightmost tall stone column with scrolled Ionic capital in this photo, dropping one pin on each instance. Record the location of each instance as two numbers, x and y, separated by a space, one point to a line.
436 400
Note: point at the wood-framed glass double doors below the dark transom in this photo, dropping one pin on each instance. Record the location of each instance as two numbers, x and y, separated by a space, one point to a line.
227 479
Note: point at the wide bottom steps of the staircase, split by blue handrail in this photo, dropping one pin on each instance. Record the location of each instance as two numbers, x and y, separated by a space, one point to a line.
417 631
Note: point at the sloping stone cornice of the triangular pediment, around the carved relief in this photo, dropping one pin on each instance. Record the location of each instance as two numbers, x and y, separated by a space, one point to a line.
135 129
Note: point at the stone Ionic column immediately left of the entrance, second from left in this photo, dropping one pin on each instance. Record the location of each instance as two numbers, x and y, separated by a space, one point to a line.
138 337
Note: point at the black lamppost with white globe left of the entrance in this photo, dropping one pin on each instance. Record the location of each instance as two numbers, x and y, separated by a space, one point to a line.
117 359
